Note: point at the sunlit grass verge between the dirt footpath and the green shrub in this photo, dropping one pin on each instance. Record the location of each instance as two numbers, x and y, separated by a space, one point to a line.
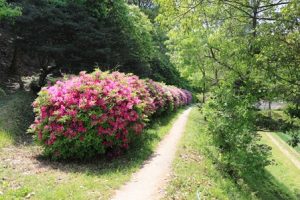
194 172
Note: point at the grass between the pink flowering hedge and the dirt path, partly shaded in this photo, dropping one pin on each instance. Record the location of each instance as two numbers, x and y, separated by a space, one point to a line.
95 180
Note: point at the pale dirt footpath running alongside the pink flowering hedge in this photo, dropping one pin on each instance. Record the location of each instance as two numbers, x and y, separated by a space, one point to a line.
148 183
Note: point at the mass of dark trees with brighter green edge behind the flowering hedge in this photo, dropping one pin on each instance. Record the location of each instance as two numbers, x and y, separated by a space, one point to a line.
72 36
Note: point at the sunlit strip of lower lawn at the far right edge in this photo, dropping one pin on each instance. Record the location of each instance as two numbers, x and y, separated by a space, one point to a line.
284 170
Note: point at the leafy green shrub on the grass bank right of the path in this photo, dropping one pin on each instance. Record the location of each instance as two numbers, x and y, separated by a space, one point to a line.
231 122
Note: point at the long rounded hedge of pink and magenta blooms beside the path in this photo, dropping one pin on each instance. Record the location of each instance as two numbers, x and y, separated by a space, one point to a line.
96 113
